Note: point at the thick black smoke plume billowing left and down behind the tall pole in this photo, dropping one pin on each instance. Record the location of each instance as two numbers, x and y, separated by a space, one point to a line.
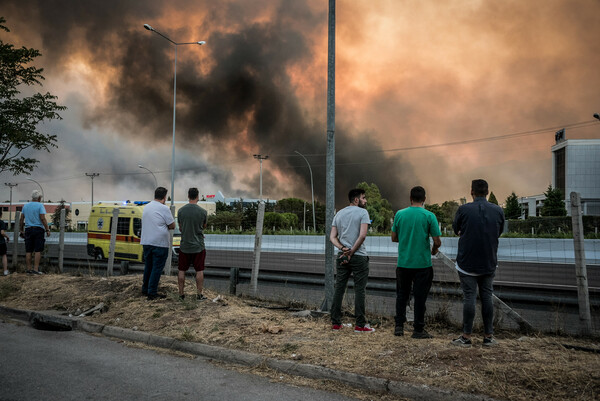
245 85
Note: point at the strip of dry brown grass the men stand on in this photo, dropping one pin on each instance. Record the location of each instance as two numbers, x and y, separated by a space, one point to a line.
520 368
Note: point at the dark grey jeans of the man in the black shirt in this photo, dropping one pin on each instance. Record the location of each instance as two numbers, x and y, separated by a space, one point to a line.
469 285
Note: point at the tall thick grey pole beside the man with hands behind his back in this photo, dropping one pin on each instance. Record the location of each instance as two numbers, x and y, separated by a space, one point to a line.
330 164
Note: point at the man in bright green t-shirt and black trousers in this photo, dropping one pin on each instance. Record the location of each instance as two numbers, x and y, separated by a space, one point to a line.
411 230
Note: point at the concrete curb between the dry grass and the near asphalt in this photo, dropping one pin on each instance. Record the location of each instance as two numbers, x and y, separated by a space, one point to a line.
414 392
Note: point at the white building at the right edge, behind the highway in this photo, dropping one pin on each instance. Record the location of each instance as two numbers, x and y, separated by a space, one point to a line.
576 168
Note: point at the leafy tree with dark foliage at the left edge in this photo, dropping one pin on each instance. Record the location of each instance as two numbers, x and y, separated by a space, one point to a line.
20 117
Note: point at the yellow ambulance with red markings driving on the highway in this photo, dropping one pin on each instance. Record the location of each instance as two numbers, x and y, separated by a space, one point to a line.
129 231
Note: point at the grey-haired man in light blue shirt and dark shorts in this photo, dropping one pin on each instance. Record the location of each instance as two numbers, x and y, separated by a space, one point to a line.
33 225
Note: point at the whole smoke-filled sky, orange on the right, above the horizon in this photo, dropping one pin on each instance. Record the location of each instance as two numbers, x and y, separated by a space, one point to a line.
427 93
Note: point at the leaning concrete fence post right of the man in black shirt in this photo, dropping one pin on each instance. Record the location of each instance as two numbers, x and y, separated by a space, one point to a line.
585 317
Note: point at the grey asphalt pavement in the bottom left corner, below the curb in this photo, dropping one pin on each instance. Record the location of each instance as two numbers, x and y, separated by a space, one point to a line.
71 365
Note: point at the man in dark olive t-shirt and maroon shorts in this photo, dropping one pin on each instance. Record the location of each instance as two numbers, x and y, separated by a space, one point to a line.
192 222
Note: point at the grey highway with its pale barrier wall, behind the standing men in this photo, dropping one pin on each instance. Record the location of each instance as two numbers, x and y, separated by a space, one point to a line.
547 263
